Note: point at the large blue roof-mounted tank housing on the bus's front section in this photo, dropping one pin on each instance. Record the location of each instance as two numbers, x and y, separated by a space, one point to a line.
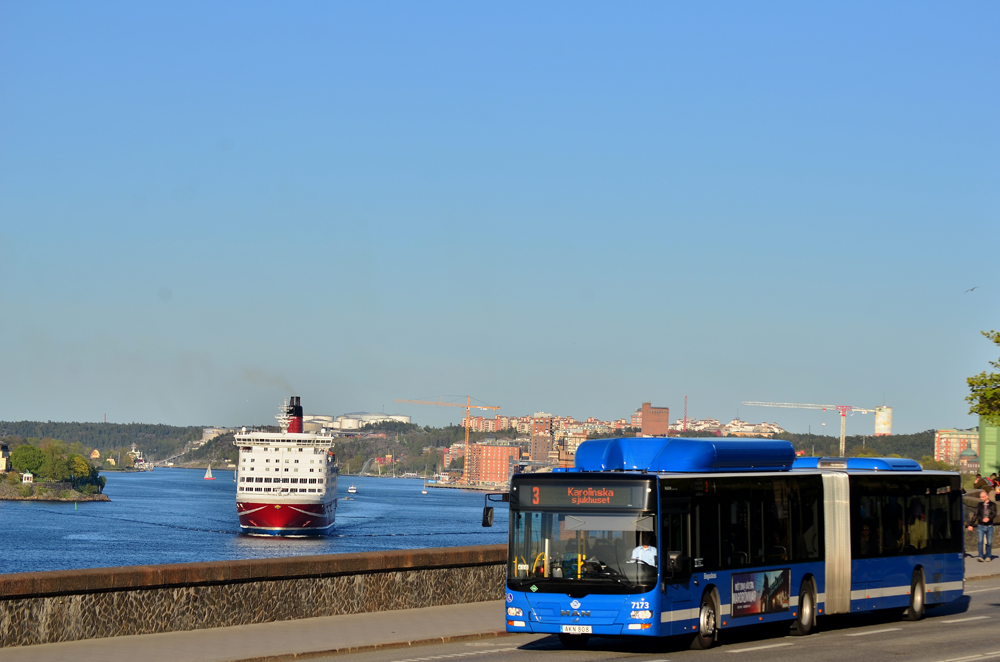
683 455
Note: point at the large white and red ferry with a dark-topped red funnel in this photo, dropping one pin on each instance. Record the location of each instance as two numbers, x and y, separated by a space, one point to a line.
287 480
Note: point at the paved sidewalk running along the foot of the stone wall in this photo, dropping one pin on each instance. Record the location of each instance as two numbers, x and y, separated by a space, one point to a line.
284 640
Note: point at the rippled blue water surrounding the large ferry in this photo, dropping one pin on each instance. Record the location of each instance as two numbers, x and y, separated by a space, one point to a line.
175 516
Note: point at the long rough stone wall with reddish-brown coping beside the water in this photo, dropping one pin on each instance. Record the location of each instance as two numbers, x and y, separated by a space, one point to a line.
67 605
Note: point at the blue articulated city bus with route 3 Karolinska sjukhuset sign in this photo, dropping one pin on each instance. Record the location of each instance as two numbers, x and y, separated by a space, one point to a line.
653 537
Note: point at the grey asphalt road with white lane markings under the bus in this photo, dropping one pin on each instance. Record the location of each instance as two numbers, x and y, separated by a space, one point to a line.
964 631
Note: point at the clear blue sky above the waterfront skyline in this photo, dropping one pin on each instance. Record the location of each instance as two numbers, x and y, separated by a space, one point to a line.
568 207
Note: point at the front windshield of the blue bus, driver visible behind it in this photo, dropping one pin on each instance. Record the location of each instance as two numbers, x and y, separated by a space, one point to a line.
607 552
